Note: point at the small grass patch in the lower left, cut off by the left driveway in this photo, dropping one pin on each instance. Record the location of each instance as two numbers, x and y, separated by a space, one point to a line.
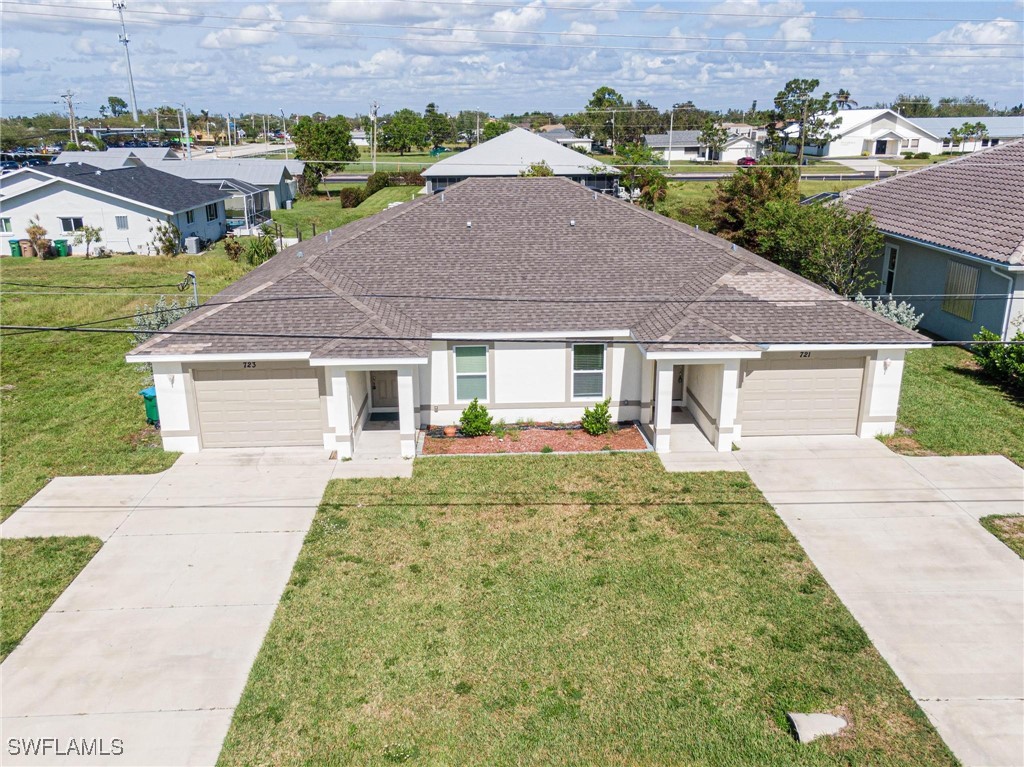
36 571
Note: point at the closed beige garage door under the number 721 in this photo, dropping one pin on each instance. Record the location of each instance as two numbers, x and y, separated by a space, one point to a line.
815 396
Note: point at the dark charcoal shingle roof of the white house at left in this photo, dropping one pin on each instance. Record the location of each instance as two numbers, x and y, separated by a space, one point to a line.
147 186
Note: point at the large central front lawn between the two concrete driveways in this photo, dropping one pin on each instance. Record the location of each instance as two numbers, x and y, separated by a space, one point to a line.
572 611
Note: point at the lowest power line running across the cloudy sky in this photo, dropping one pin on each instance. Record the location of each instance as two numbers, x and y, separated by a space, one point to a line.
523 45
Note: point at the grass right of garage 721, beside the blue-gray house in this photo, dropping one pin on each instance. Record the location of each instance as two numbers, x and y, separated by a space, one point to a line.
950 408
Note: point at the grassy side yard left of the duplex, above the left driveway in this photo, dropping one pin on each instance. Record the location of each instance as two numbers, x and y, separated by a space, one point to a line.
70 401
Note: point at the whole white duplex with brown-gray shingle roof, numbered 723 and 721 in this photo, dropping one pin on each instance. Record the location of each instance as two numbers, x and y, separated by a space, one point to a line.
540 299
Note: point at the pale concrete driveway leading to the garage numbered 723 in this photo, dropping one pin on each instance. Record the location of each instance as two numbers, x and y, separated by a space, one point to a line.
153 643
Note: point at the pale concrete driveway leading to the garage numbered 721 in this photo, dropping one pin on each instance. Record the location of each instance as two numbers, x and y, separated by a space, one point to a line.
942 599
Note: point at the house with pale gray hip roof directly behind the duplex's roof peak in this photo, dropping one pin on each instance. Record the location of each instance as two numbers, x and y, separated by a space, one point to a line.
514 153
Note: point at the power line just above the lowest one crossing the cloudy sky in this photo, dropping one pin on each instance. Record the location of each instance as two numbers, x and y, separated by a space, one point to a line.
420 28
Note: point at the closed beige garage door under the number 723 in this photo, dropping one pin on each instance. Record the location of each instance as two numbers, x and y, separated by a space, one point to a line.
265 406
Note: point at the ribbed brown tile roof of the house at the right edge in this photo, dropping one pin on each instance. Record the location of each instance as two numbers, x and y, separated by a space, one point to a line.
974 204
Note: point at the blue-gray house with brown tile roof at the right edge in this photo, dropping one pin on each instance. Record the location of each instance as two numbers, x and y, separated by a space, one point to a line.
955 231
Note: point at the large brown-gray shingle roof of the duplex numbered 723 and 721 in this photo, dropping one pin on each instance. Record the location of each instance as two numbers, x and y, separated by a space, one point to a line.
517 255
